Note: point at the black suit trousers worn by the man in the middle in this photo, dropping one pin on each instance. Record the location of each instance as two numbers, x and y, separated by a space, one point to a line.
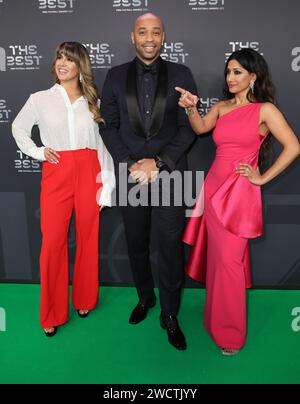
166 224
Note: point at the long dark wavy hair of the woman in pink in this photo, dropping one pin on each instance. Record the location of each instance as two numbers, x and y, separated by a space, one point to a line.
264 90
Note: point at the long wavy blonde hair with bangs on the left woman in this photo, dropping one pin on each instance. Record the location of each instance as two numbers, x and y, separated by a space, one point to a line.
76 52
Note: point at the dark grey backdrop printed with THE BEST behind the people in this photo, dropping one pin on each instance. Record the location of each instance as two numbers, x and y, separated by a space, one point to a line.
200 34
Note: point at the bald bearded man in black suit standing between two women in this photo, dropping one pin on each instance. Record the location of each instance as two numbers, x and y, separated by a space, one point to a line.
147 130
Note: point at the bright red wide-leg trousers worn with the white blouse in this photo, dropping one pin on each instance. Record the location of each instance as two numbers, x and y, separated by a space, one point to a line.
69 186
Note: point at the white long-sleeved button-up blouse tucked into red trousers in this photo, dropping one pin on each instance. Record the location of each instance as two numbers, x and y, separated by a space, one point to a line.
63 126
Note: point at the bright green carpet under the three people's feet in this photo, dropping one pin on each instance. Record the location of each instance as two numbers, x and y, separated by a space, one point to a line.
104 348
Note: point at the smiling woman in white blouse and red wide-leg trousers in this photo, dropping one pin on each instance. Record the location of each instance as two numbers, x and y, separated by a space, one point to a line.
68 115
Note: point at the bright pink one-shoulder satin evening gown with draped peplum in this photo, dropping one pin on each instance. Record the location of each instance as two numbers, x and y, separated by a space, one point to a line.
228 212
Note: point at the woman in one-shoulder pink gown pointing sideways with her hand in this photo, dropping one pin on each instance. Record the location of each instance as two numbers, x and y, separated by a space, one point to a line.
229 209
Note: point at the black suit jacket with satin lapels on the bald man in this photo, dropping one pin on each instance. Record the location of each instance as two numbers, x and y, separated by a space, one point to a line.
123 132
